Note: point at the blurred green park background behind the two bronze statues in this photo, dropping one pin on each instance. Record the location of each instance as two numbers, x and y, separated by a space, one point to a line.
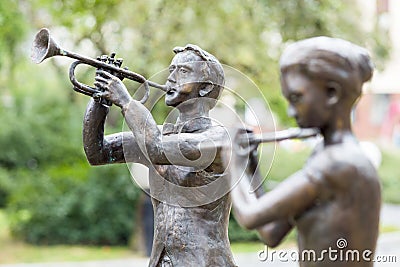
55 207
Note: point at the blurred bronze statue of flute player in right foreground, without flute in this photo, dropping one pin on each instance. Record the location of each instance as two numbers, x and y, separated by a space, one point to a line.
334 200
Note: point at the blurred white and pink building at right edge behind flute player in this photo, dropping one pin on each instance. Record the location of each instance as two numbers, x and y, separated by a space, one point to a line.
377 116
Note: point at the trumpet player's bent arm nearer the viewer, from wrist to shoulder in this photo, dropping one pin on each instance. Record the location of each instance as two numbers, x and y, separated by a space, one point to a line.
178 149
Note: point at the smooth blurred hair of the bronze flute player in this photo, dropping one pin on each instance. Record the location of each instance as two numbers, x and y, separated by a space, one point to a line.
331 58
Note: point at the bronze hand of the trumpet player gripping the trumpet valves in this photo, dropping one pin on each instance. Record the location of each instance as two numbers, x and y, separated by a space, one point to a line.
114 90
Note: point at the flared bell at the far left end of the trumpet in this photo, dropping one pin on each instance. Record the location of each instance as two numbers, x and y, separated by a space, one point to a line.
44 46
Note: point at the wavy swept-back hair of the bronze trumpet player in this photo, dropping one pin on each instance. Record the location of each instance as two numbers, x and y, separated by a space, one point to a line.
214 72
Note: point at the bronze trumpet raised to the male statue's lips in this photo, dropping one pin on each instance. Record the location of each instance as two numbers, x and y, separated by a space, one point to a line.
44 47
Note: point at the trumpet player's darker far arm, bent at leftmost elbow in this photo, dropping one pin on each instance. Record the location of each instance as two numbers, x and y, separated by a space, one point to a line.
114 148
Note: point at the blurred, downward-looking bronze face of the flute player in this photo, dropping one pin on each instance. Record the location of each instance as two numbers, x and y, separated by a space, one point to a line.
307 97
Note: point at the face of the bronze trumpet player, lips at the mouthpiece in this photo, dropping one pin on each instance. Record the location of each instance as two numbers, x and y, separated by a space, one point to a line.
186 78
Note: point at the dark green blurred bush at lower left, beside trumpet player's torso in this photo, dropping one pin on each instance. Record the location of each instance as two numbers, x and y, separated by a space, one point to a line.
74 204
